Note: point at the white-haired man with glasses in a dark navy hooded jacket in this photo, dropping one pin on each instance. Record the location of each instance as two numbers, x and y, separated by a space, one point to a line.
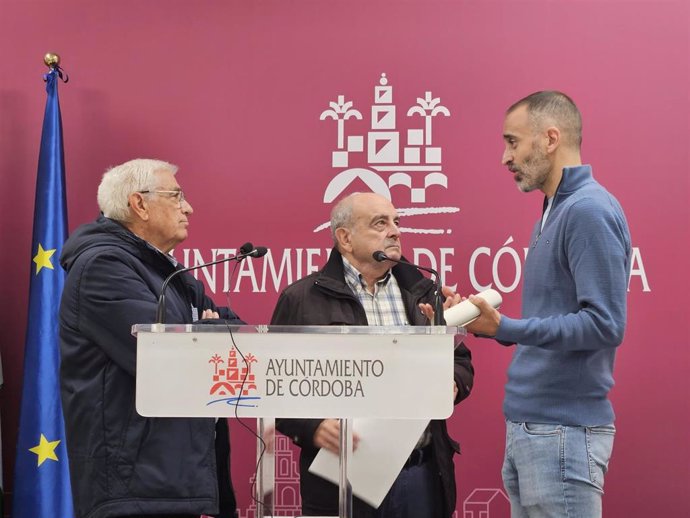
123 464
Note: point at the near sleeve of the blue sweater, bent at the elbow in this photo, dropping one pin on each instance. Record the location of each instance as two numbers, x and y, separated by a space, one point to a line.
597 248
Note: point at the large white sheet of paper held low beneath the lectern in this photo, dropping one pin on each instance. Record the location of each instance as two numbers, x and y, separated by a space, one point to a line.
384 446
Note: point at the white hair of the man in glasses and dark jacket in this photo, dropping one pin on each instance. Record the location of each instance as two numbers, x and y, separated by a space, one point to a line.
122 180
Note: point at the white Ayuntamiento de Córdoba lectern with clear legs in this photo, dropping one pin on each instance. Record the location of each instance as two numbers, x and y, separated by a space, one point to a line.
342 372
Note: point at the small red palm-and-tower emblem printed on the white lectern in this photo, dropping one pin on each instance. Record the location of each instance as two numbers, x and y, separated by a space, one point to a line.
232 382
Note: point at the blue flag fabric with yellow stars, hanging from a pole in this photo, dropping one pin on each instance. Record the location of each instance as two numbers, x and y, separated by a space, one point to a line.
41 479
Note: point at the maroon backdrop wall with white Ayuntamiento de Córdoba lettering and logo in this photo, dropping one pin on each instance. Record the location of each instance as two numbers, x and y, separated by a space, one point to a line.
250 99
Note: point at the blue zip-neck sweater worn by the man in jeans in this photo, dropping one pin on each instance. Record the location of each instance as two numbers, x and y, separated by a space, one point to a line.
573 309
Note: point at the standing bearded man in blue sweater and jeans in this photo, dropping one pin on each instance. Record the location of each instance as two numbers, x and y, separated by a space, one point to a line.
559 420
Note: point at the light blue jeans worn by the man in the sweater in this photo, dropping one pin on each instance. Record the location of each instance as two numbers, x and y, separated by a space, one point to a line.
552 471
